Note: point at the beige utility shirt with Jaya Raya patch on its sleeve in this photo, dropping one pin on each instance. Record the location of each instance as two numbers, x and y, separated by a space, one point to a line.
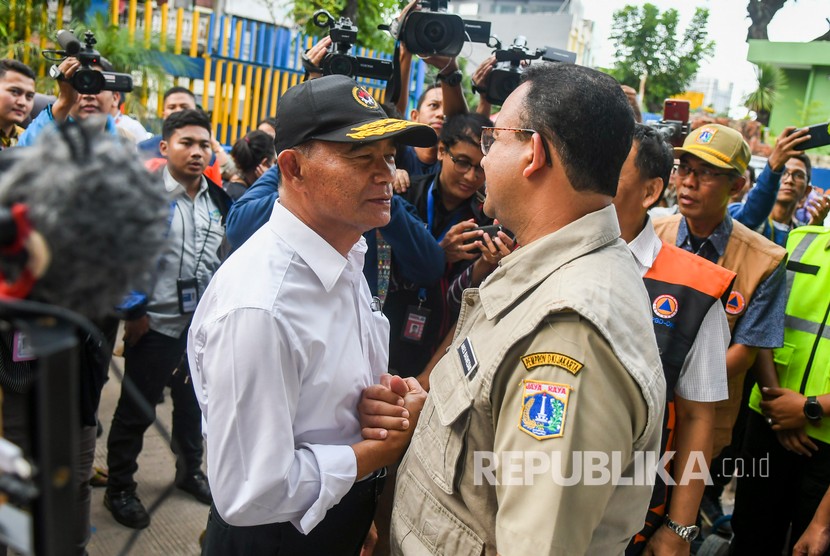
578 293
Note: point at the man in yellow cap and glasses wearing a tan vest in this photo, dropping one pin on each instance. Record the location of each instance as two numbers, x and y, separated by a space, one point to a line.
713 160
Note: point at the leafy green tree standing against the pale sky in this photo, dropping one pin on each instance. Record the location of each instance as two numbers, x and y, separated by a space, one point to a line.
648 43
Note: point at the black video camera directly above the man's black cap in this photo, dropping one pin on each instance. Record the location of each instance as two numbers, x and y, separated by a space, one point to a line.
339 60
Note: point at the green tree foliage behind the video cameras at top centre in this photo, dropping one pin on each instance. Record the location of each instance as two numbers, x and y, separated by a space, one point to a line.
366 14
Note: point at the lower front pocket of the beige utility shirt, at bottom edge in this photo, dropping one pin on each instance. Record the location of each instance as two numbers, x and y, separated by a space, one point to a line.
436 529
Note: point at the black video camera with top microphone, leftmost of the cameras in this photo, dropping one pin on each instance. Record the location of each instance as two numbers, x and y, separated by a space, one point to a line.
88 81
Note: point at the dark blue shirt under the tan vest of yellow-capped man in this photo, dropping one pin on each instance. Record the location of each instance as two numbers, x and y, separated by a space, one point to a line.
762 325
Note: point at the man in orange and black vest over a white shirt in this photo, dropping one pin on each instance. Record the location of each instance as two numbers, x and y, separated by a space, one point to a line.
688 295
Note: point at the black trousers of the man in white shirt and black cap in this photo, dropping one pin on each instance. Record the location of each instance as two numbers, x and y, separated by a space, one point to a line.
341 533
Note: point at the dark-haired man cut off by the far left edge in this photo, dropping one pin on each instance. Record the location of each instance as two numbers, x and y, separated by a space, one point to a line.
17 93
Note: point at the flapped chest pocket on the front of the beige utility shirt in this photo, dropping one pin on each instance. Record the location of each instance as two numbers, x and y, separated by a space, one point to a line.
439 442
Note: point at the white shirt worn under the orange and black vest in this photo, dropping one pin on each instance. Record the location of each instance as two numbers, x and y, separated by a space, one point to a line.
703 377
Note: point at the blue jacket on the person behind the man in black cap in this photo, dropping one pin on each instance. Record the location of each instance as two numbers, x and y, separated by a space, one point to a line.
418 256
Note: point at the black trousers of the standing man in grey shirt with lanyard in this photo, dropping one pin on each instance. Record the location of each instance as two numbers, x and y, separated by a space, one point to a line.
148 367
